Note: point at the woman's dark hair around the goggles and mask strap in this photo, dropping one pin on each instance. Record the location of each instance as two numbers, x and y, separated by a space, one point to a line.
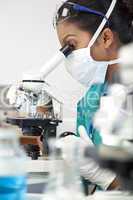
120 21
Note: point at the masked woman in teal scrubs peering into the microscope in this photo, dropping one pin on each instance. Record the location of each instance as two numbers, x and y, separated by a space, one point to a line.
94 62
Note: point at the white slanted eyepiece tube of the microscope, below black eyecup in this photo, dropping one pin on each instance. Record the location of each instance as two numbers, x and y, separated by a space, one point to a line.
52 64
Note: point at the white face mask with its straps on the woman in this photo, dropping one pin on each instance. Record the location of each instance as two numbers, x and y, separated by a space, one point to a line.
82 67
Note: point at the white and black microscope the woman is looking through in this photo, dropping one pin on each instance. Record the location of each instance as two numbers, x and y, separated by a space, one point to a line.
39 112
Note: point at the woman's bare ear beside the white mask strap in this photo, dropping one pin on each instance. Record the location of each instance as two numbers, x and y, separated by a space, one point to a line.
106 38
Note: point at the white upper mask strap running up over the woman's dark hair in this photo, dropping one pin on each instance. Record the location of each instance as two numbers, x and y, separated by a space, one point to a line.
104 21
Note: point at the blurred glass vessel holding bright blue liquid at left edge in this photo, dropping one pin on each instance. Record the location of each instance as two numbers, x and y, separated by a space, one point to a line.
12 162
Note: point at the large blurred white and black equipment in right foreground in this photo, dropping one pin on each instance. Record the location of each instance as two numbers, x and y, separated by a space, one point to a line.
115 122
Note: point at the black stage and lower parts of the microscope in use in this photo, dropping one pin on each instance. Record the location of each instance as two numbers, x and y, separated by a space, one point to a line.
45 128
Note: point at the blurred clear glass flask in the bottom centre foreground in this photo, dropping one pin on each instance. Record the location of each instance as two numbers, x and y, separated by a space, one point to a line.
64 181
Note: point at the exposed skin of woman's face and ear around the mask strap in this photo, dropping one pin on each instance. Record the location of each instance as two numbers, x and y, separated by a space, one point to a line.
104 48
